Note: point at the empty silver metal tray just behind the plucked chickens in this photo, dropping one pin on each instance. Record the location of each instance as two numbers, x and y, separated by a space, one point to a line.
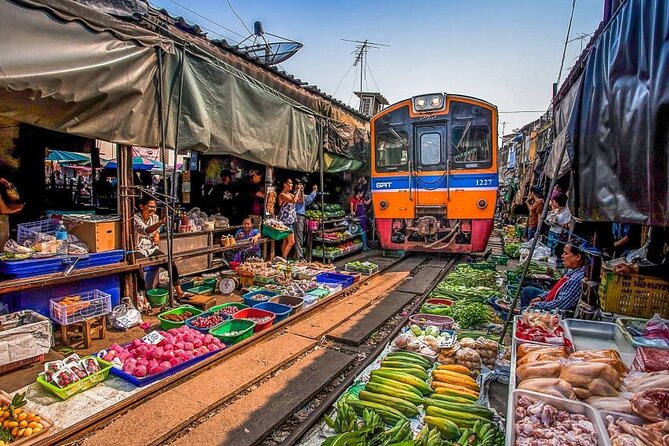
592 335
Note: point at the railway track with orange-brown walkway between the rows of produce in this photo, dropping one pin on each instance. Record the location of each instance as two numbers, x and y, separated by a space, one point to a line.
273 390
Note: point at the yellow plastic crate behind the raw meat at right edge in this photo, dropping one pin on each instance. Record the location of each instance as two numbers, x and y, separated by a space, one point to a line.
633 295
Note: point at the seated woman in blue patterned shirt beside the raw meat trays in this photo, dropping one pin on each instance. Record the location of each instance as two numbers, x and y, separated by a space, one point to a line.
566 293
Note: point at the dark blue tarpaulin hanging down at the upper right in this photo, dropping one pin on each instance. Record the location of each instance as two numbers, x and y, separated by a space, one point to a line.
617 127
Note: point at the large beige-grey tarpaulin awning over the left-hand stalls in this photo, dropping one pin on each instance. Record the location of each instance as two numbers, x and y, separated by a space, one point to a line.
68 75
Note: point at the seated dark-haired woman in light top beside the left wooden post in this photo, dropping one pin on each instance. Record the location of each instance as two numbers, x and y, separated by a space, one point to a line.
146 225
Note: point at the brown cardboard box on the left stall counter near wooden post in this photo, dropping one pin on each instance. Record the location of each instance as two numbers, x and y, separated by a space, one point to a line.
99 234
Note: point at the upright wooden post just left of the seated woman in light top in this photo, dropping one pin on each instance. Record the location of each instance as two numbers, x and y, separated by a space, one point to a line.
125 209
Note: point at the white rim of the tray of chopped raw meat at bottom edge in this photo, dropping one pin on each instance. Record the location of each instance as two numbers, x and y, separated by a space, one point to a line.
571 406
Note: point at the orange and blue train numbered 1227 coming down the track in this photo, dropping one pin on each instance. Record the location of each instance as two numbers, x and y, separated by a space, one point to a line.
434 173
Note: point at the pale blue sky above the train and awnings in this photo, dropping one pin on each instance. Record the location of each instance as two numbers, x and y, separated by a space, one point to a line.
505 52
